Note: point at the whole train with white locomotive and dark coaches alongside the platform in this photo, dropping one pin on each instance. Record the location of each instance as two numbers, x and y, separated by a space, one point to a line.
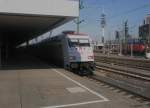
70 50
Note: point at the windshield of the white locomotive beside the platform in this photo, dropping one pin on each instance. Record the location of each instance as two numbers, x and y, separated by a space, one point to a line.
78 42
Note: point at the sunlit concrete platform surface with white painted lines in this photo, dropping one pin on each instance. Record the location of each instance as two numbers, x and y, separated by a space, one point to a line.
57 88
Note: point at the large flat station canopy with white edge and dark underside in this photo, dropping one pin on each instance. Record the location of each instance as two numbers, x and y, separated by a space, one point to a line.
23 20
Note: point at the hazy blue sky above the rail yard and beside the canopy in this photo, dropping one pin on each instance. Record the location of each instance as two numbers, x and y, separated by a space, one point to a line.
117 11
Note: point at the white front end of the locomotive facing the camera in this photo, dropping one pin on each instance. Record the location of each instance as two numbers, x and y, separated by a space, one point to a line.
81 56
